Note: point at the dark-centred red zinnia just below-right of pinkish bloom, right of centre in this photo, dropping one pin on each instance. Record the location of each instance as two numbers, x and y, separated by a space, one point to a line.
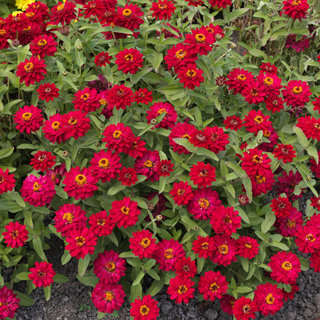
225 220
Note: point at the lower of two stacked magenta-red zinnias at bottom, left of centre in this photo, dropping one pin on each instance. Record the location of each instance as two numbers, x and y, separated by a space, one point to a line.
107 297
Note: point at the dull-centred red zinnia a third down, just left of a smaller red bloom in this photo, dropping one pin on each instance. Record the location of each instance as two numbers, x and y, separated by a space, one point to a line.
119 96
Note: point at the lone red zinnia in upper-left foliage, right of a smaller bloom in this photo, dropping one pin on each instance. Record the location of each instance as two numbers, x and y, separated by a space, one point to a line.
129 60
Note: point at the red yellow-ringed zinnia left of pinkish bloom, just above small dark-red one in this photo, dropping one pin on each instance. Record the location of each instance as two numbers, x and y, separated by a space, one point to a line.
105 165
